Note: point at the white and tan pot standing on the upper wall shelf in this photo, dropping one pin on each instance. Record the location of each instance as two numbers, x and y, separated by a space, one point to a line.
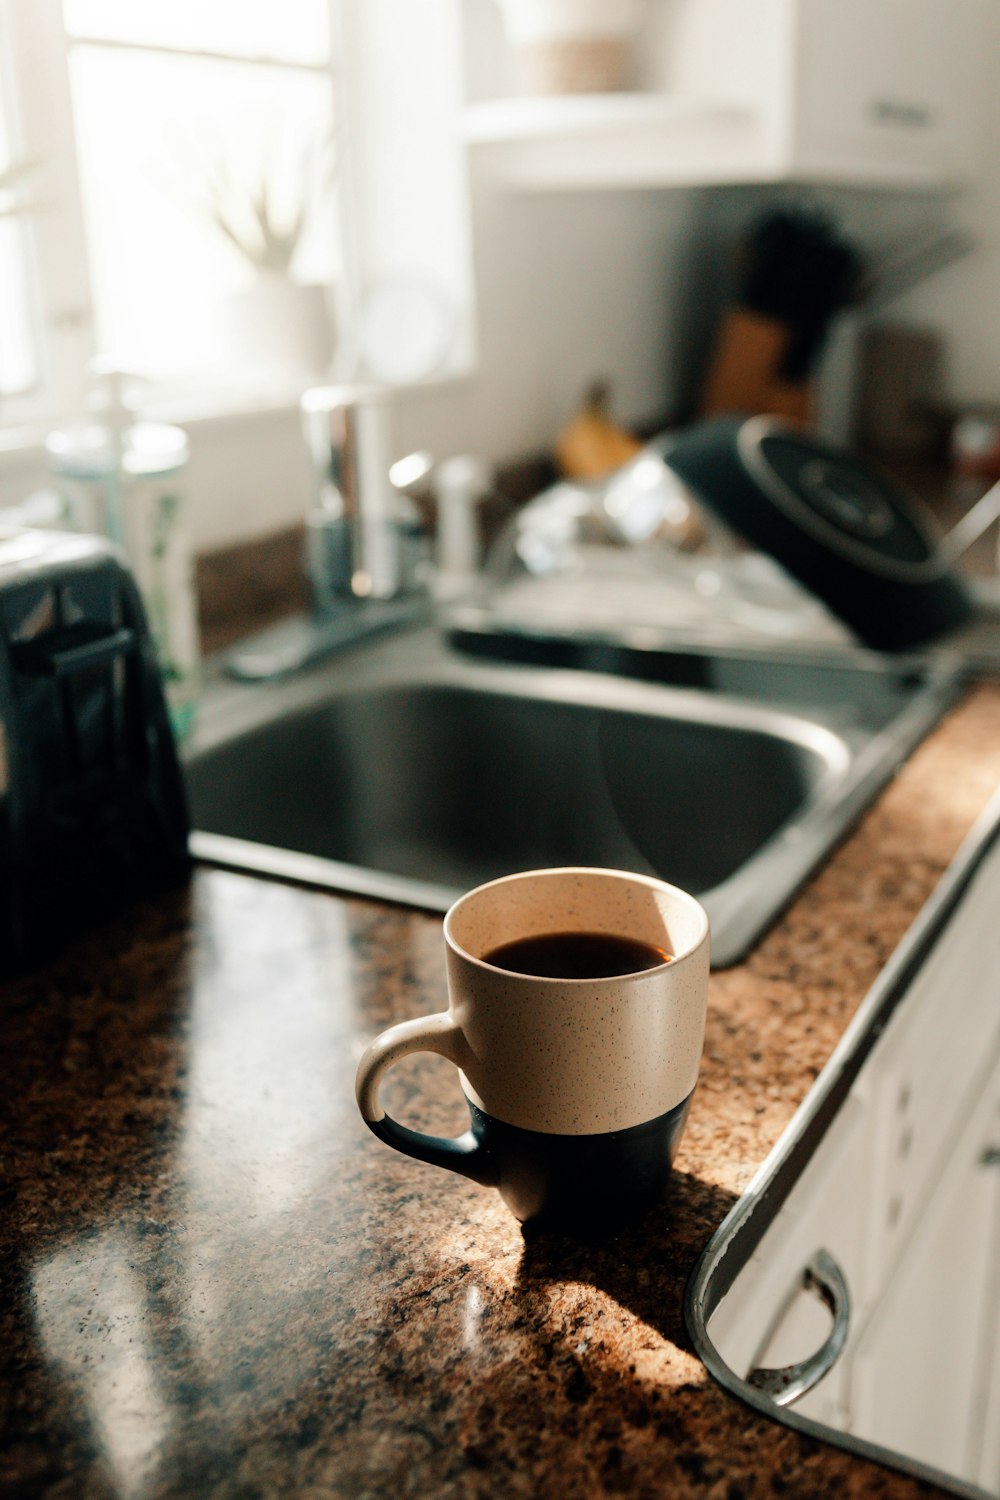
573 46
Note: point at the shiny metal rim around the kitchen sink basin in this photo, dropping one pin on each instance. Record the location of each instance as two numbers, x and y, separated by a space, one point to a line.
741 908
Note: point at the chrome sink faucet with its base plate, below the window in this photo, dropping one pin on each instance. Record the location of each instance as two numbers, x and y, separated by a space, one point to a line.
364 547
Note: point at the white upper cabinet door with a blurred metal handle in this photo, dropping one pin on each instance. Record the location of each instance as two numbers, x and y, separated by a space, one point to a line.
885 83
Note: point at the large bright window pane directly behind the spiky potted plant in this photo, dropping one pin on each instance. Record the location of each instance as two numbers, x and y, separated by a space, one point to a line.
163 271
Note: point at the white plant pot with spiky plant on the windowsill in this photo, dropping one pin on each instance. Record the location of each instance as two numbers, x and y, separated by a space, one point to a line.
280 326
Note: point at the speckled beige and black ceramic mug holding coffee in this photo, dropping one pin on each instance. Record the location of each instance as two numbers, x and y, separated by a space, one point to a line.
578 1090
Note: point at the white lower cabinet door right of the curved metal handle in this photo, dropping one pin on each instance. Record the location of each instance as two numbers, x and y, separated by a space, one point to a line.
921 1369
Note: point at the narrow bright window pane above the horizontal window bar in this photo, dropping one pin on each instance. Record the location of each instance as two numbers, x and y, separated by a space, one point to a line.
289 31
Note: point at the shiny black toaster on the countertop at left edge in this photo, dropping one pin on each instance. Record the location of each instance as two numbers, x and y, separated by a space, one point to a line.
92 800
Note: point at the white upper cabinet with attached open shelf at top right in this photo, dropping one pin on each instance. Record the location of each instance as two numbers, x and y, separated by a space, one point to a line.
846 92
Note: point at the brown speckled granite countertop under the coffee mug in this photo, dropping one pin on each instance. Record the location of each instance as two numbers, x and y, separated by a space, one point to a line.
217 1283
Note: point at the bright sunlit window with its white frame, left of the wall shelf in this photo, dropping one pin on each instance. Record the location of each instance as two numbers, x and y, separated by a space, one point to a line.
154 121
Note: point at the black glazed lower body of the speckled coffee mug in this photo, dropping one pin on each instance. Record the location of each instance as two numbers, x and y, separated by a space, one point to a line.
581 1183
